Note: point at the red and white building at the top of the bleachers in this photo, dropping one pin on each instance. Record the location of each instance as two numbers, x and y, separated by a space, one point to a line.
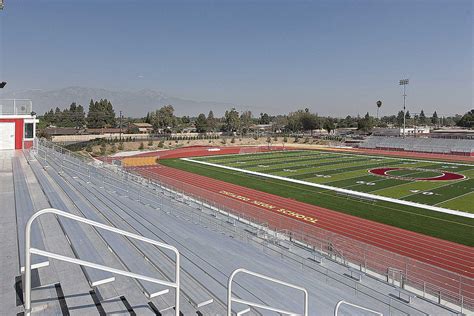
17 124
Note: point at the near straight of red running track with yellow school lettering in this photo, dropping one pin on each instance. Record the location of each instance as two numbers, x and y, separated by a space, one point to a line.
434 259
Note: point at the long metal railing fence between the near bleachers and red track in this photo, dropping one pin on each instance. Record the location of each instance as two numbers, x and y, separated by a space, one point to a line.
369 259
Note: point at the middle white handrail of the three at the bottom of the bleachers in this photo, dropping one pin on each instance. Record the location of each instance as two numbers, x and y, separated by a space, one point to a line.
231 299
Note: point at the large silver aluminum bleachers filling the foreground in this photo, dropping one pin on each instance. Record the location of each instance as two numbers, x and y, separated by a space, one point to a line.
211 246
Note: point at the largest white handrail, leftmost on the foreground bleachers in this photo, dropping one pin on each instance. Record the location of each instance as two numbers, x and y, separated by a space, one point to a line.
29 251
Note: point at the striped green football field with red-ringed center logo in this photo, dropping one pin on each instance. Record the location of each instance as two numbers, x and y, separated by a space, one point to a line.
440 184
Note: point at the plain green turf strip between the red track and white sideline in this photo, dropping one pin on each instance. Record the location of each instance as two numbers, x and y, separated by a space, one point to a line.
449 227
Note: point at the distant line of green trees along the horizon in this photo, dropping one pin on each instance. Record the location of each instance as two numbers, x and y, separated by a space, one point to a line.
101 114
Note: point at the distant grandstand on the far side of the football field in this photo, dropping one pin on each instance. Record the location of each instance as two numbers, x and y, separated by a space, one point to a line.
464 147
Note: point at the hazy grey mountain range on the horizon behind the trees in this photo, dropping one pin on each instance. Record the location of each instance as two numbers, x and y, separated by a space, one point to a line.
132 103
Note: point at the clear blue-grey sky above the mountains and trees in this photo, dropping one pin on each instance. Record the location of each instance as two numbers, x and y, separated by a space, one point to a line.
335 57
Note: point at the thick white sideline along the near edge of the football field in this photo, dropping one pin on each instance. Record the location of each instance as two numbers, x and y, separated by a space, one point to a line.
340 190
